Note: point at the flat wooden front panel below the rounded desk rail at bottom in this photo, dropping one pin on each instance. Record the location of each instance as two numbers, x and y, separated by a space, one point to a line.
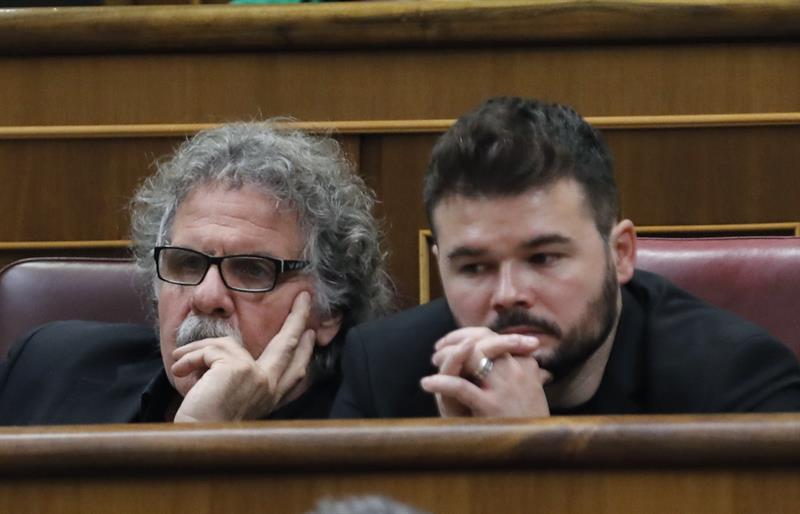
654 491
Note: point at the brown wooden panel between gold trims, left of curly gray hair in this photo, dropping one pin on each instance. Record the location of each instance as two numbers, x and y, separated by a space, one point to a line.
71 189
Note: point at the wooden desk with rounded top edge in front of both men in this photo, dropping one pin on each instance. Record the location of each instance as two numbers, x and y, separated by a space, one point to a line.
709 464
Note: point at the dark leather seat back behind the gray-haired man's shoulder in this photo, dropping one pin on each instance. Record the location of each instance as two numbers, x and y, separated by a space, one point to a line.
35 291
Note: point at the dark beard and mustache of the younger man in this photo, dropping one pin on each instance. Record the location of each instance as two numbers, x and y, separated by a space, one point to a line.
580 341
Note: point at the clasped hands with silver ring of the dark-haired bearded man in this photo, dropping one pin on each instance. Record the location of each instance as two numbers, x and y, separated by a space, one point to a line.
513 387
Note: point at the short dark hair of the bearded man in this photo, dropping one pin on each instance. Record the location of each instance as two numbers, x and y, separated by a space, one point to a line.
509 145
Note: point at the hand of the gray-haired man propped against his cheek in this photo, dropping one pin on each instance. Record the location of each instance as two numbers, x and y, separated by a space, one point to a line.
232 384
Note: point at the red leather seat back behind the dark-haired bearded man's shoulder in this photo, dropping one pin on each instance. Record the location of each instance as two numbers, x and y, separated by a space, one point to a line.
755 277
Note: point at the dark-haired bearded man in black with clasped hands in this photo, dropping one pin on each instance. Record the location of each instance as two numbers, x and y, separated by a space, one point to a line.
544 311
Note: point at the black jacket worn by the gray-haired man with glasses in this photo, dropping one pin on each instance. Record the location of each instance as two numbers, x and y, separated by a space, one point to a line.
82 372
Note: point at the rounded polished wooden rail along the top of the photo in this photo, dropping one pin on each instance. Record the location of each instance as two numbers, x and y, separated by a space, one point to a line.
387 24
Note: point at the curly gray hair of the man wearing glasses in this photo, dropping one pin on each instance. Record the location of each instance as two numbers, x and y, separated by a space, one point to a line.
307 173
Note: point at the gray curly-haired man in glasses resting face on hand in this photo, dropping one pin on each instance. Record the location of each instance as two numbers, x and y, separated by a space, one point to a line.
261 248
